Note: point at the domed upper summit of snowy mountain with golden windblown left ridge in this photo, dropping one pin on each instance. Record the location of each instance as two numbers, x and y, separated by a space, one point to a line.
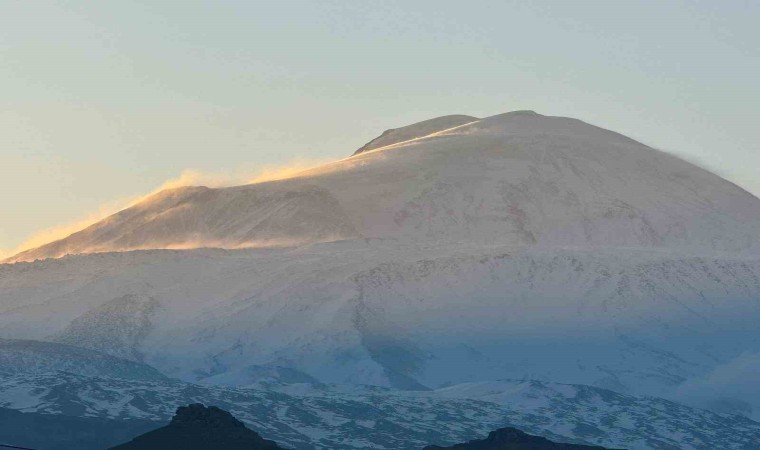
518 179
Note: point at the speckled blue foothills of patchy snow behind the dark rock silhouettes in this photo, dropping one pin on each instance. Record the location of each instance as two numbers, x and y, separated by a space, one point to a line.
306 417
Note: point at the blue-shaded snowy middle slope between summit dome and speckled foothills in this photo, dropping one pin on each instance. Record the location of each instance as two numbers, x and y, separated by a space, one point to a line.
385 313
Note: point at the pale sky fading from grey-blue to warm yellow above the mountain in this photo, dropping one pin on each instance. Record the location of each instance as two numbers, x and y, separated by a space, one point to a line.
101 102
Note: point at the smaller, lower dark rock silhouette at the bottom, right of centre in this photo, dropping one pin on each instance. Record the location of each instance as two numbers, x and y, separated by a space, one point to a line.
514 439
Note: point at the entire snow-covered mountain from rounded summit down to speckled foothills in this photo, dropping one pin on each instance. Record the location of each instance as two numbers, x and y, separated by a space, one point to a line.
454 250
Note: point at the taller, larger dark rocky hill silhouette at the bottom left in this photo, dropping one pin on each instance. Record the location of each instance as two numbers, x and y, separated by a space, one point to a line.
197 427
